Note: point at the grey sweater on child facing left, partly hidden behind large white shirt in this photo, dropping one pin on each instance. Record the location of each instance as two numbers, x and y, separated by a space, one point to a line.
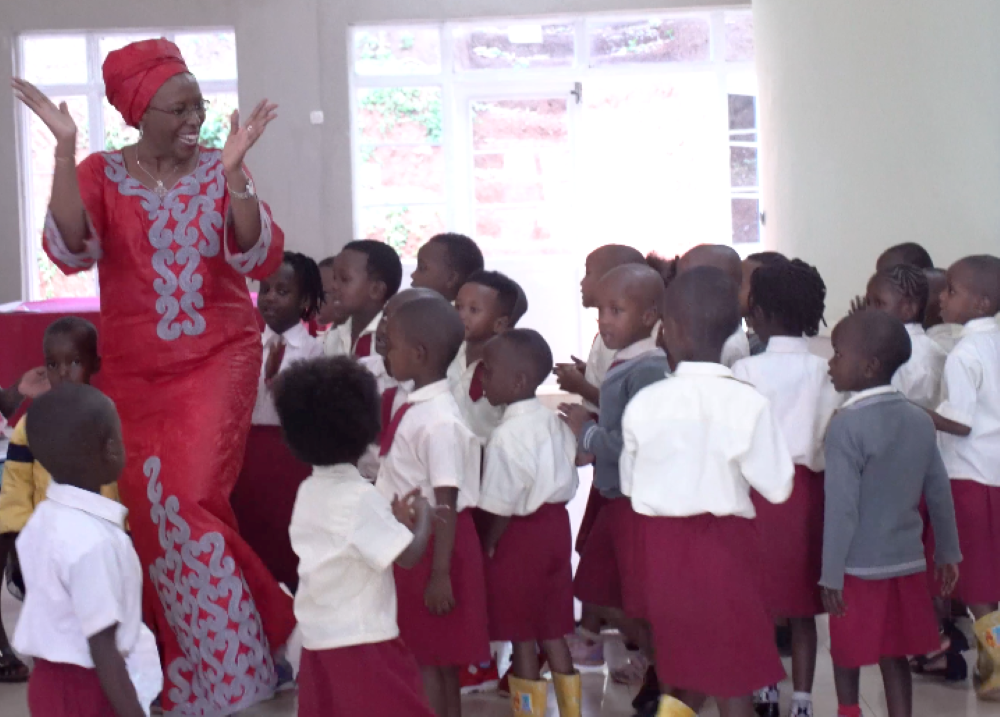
603 438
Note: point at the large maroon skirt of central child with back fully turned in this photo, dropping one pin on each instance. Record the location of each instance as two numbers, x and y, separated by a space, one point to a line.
712 631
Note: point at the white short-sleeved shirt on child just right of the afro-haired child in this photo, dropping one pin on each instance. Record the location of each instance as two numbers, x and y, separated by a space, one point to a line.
432 448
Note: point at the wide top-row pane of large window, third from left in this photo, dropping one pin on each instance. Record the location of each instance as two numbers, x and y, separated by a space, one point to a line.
676 39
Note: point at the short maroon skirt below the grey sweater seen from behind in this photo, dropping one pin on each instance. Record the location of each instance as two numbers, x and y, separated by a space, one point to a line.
884 618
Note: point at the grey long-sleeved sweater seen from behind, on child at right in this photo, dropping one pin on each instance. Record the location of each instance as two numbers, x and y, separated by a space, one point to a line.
881 458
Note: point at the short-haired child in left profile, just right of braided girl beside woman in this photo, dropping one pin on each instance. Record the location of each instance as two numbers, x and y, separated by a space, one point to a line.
366 274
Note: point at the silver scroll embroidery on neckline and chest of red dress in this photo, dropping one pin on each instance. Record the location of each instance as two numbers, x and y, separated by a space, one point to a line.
185 203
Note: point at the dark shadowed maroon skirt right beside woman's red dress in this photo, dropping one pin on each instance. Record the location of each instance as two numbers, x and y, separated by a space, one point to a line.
264 498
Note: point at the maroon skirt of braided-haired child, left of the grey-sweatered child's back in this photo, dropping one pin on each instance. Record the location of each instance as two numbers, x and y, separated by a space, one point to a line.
791 536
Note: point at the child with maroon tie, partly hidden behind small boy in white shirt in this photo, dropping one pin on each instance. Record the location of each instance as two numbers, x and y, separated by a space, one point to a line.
488 305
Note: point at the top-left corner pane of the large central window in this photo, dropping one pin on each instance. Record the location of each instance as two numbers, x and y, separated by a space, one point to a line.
397 51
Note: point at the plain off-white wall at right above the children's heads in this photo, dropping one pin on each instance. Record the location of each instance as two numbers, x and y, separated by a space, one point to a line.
880 124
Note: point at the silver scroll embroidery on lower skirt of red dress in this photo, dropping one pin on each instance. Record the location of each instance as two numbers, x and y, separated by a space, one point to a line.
227 663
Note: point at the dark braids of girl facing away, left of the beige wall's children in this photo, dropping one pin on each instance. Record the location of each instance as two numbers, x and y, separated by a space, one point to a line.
792 292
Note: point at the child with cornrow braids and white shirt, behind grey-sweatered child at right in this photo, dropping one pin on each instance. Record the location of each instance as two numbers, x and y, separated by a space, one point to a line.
901 291
